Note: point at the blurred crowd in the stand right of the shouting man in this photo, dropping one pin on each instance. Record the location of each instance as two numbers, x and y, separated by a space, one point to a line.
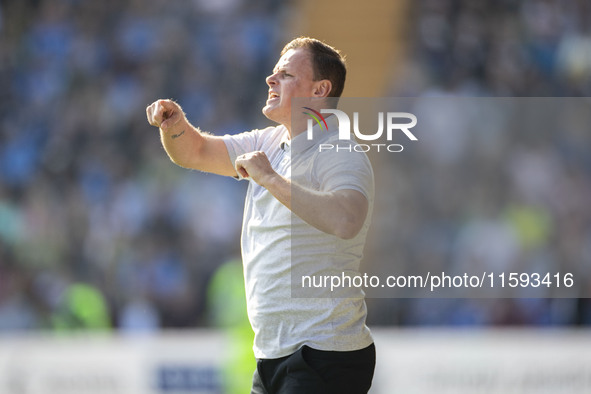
494 184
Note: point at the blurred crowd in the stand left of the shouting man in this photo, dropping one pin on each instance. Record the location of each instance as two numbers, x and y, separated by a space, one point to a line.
87 195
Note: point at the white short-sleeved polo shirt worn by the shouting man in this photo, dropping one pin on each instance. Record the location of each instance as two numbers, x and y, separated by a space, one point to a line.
278 247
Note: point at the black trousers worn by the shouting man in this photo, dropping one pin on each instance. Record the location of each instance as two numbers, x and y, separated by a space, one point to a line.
311 371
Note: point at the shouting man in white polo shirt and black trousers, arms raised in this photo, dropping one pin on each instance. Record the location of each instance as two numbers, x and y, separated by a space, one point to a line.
306 211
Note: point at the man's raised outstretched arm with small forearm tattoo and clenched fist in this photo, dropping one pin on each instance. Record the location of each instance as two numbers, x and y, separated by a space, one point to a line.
185 144
